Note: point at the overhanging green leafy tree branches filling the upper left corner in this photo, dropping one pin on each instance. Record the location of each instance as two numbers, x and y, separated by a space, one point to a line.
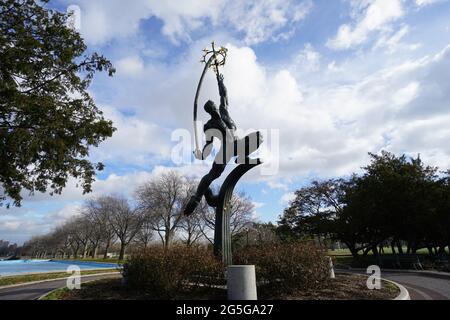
48 121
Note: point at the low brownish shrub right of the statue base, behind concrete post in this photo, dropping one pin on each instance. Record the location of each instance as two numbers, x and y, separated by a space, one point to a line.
286 268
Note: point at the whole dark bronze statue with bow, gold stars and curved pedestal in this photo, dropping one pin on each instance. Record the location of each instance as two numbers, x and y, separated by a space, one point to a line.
222 127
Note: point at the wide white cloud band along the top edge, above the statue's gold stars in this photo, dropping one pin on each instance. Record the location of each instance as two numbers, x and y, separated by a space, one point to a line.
255 20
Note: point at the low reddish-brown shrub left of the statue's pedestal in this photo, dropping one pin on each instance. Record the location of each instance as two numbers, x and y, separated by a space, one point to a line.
168 273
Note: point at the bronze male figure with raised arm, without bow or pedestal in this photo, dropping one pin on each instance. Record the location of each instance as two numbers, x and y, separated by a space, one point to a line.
223 128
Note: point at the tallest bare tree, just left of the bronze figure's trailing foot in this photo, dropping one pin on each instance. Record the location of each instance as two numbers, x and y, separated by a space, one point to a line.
163 198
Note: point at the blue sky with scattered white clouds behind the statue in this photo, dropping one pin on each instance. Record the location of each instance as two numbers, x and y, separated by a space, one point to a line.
328 81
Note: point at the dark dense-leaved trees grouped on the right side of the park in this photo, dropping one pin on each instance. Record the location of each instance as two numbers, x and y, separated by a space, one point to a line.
396 201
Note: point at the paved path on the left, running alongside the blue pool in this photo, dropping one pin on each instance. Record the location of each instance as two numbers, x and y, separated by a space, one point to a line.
35 291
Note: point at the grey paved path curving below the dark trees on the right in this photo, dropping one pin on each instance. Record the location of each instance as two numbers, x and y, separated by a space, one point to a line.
422 287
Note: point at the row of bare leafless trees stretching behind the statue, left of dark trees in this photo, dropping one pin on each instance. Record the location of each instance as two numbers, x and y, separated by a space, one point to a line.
155 214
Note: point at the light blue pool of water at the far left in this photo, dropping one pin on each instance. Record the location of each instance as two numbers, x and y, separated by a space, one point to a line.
18 267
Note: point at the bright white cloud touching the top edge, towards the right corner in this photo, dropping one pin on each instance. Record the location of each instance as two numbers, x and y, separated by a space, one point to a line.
370 16
